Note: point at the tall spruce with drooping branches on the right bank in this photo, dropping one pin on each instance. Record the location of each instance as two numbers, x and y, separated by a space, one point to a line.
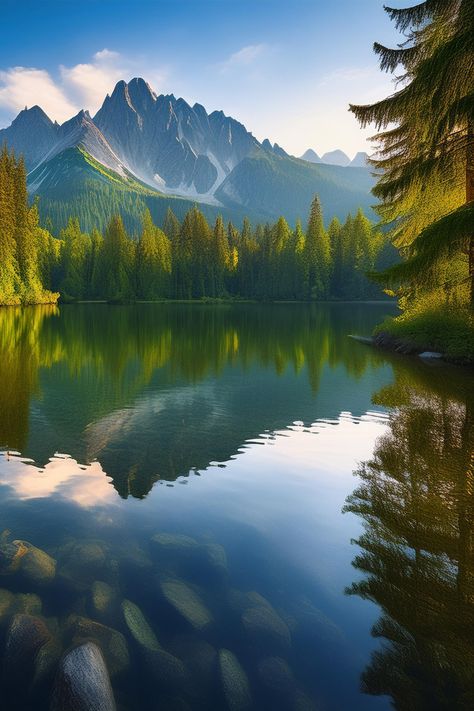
426 143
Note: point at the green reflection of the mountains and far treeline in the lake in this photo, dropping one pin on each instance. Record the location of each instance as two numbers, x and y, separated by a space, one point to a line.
155 391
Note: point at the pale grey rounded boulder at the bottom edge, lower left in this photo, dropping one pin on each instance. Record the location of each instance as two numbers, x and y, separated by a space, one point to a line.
82 683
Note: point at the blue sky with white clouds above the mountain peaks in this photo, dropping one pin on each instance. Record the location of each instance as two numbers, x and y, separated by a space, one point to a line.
287 69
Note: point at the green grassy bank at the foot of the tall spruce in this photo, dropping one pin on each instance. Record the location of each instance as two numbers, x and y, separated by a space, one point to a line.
446 330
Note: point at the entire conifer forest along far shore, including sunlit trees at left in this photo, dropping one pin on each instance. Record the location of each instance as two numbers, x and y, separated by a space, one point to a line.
181 260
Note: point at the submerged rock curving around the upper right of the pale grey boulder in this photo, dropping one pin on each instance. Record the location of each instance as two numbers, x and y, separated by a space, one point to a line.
111 642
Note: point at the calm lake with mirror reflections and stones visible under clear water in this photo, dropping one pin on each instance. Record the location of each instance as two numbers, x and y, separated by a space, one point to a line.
243 507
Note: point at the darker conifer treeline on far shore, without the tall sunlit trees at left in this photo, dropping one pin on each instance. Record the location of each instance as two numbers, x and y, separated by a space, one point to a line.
192 260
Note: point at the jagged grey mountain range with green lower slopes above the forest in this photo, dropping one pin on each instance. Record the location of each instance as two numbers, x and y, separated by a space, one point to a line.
141 149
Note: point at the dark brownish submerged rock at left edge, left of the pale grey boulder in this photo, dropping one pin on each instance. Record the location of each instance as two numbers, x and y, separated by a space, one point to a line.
25 637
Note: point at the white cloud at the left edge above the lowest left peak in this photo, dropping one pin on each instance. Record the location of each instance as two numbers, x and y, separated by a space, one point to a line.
23 86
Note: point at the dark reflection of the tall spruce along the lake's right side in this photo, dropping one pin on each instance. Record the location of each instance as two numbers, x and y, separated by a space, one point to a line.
416 498
